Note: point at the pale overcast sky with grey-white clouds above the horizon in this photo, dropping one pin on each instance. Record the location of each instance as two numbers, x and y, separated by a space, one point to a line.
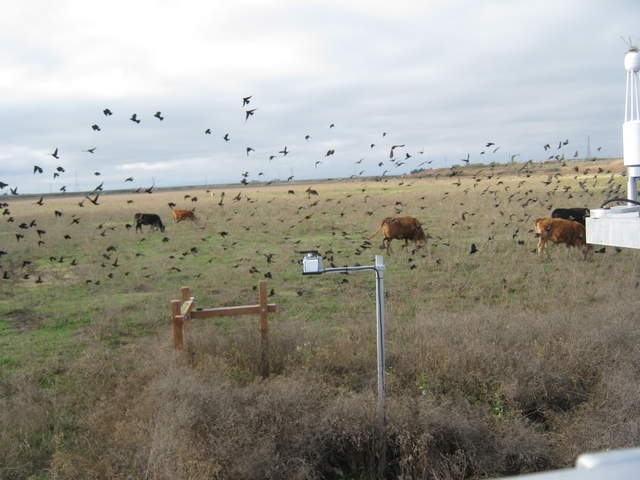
441 77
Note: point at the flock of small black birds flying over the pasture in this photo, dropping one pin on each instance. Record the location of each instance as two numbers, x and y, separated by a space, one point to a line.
487 181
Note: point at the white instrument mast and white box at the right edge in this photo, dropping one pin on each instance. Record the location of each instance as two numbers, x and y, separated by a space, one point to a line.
620 226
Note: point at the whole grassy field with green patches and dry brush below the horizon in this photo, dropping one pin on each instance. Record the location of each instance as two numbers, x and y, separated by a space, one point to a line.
498 362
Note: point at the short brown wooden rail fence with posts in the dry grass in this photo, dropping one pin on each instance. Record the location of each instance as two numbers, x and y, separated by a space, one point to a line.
183 311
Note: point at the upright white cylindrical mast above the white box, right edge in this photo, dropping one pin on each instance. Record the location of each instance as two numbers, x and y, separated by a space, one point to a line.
631 126
